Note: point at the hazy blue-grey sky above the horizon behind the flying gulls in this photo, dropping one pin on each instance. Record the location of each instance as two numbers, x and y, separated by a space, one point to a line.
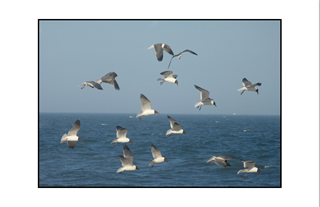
72 52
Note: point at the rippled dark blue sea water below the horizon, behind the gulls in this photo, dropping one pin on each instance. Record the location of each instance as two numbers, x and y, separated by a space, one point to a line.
94 162
